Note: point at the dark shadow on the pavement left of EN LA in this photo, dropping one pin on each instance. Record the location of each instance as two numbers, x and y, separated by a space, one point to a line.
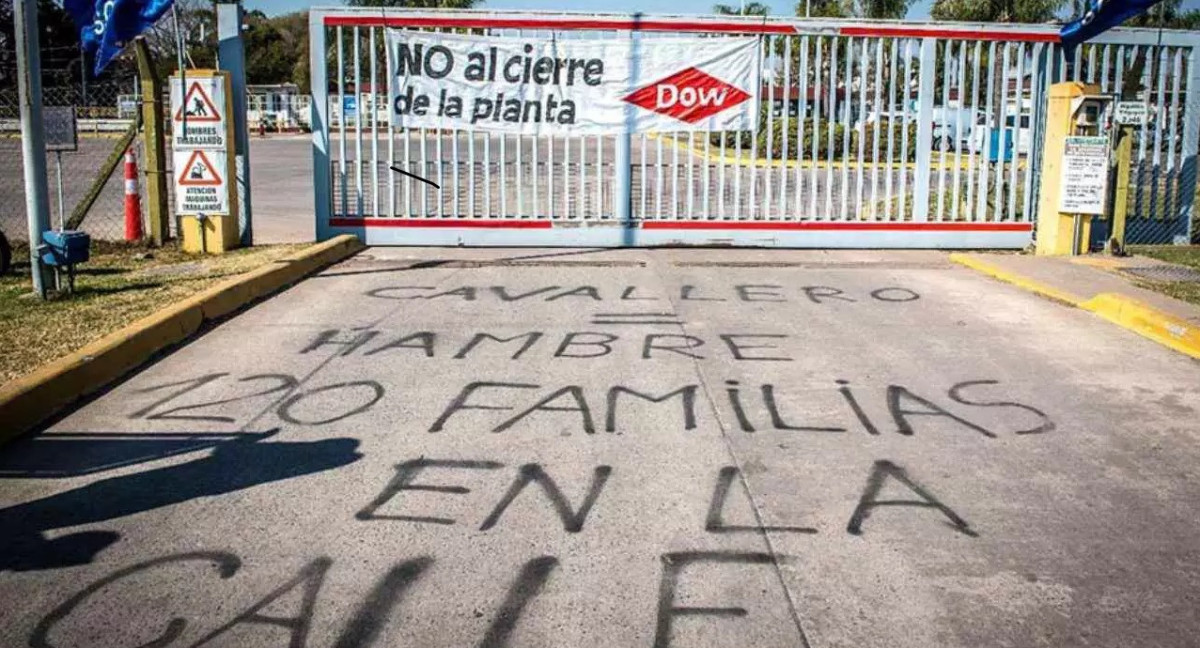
232 466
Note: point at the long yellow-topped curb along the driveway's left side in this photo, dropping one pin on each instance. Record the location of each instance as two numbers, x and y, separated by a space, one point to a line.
35 398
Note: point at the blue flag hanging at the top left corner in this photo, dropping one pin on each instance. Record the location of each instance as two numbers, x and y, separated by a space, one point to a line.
106 27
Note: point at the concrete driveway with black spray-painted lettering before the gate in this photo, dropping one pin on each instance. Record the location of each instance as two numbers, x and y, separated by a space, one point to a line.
440 448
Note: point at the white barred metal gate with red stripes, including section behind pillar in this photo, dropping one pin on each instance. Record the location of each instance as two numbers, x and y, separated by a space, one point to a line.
871 135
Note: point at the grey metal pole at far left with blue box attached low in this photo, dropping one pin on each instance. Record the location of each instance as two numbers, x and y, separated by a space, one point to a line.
29 88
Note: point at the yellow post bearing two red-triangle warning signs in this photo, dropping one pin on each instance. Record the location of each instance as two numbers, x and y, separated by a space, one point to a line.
206 199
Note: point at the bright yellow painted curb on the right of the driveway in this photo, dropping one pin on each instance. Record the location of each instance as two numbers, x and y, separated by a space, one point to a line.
1130 314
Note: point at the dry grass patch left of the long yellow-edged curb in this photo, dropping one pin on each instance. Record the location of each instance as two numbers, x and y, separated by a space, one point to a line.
121 285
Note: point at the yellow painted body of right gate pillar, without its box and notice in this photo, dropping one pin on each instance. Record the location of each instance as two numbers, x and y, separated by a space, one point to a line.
1057 231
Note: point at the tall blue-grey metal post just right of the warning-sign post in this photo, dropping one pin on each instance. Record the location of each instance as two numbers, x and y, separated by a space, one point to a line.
232 58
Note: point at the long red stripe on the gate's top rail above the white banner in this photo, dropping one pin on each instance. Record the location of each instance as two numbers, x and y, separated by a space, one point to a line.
566 25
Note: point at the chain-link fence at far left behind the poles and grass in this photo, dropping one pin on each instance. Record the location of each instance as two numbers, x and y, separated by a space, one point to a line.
104 113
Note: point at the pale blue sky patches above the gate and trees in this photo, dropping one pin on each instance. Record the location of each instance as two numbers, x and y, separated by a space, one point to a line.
919 11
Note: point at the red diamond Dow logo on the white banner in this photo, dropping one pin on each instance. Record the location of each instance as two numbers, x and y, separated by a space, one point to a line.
688 95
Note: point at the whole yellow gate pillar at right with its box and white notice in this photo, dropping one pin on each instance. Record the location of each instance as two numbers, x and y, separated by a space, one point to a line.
1076 163
